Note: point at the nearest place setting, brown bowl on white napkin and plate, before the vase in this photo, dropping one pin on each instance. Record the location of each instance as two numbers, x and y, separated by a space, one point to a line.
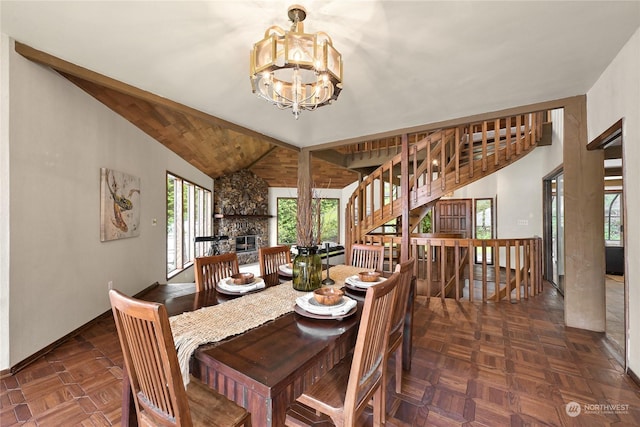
326 303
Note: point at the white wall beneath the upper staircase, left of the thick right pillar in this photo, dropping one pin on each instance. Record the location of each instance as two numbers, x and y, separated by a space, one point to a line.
519 212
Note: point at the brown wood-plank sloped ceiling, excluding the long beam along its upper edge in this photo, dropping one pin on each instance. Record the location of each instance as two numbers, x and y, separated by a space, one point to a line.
214 149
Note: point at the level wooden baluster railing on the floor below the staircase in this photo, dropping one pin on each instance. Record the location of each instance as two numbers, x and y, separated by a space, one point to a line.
470 269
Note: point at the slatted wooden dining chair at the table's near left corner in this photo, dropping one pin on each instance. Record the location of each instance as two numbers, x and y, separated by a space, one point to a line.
158 390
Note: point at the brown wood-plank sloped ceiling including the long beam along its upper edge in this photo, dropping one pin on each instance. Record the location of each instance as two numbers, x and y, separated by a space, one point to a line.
210 144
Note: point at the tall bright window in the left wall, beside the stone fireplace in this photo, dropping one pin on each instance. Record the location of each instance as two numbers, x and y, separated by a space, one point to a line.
188 217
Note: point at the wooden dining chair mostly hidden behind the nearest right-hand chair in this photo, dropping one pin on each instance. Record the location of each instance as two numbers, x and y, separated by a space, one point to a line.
396 331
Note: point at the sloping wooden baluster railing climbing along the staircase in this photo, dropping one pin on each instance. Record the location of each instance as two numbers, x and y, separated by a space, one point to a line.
439 162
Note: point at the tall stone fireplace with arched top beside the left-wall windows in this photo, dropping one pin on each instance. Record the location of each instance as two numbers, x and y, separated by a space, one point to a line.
241 206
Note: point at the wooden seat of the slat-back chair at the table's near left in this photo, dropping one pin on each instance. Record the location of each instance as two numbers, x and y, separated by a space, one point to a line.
210 408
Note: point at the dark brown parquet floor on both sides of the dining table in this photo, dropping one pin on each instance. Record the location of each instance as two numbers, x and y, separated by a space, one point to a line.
474 364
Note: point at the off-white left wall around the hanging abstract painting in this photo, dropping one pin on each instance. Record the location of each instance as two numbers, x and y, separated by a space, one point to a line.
59 139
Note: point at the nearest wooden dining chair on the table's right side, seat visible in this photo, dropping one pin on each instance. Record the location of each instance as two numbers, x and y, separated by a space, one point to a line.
344 392
